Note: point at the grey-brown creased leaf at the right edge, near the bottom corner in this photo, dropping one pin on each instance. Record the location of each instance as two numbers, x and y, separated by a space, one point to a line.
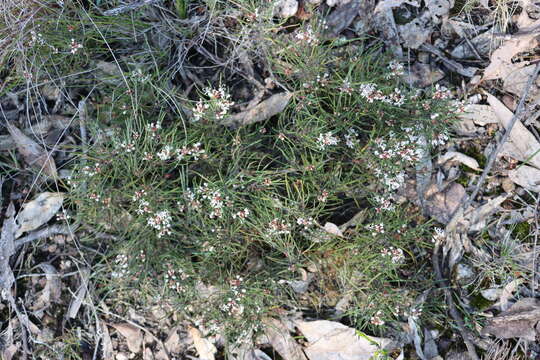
517 322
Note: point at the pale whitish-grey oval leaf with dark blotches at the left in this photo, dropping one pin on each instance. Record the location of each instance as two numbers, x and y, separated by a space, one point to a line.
38 211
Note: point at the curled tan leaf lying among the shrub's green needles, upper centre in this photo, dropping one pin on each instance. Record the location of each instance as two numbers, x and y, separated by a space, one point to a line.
263 111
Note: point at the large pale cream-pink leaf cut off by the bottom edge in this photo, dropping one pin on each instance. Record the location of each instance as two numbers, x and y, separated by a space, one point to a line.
329 340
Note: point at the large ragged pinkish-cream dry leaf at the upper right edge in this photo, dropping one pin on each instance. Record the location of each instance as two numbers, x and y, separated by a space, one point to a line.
501 60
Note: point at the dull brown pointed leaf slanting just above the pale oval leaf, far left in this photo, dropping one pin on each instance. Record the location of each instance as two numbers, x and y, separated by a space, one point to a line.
33 154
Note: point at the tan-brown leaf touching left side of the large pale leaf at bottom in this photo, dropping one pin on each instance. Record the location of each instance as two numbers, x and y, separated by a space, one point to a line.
277 335
